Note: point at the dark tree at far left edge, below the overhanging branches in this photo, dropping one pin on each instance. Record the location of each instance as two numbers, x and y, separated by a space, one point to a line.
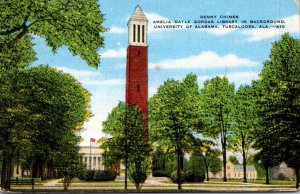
13 115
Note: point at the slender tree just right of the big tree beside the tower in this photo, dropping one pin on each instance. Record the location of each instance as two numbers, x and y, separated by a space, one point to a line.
217 111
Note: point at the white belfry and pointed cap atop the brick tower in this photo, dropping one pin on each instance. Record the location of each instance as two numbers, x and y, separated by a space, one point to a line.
137 28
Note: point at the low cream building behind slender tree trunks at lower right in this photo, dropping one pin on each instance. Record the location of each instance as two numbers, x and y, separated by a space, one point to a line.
235 172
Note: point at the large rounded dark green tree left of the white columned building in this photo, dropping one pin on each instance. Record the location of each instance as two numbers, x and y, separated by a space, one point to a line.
53 115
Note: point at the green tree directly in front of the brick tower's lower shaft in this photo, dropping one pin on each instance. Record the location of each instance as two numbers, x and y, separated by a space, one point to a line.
125 126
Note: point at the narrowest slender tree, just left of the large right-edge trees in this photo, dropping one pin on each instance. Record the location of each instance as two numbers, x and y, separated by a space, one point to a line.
245 122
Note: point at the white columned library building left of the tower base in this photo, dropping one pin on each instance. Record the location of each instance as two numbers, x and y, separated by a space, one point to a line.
92 157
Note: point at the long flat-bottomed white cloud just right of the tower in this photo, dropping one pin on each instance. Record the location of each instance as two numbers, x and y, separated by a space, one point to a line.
204 60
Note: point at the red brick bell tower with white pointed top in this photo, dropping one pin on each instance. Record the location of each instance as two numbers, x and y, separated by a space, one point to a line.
137 64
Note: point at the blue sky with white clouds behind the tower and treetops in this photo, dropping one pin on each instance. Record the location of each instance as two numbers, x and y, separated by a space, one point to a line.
173 53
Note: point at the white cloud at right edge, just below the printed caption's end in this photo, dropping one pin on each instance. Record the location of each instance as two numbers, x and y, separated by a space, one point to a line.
291 26
